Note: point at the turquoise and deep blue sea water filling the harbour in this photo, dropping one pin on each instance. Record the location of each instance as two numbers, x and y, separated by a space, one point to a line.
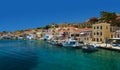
39 55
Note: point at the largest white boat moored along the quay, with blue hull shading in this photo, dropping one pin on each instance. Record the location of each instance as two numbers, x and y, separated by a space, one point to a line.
71 43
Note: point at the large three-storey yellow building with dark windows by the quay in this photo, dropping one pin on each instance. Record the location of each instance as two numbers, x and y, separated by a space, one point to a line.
101 32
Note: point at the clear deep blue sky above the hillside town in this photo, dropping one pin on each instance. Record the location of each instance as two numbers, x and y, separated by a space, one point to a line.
25 14
